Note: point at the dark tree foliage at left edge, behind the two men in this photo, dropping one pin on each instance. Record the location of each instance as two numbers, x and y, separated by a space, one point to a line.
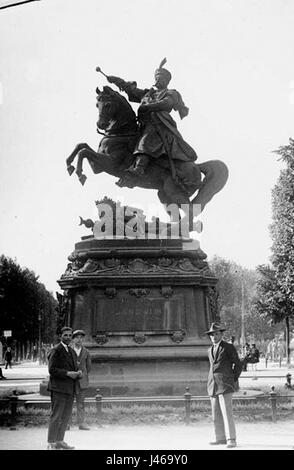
23 299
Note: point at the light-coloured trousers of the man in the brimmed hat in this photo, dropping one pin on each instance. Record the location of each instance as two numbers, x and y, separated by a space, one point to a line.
222 415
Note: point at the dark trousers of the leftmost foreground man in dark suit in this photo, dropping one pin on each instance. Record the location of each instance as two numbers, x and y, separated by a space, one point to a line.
61 410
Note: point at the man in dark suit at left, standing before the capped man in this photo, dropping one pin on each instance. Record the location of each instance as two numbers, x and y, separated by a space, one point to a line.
63 372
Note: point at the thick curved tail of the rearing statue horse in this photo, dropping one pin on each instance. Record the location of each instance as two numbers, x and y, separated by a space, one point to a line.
215 177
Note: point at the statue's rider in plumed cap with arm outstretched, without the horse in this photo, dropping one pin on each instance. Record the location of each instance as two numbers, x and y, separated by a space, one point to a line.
158 131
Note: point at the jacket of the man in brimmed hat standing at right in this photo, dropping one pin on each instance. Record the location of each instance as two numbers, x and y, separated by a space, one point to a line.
225 369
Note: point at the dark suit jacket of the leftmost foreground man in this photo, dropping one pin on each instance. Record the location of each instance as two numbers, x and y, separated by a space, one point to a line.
61 362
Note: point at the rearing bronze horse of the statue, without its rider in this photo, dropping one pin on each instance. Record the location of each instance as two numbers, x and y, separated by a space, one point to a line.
115 155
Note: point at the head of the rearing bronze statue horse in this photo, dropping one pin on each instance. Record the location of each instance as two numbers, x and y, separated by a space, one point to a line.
114 109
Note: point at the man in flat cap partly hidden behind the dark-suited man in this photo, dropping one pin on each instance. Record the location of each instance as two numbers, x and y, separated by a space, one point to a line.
84 364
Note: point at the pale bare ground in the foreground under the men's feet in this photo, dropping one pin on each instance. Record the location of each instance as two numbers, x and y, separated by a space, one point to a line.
251 436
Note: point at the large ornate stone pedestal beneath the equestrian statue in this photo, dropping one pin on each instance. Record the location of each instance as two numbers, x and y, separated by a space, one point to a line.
144 305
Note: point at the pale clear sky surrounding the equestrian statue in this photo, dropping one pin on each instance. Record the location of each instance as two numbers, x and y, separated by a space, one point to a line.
232 62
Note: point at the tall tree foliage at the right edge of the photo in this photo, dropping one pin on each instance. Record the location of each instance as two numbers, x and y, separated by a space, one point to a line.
276 285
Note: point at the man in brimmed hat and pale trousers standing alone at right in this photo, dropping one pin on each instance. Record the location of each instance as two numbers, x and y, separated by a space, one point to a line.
225 369
